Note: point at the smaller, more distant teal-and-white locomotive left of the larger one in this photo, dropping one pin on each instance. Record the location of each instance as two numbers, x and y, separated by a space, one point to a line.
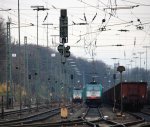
77 95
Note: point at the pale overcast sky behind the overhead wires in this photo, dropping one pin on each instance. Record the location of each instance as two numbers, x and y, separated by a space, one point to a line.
106 27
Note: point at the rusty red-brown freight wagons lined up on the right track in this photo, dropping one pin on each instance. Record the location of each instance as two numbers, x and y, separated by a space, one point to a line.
134 95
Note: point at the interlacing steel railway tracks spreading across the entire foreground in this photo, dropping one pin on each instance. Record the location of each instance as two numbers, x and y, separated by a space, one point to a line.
93 118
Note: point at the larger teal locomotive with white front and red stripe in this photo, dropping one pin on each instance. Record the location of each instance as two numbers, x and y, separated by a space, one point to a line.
92 94
